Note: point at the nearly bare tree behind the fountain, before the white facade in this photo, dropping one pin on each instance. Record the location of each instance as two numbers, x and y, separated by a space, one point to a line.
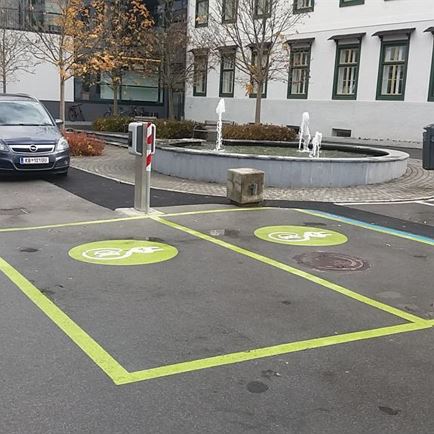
256 30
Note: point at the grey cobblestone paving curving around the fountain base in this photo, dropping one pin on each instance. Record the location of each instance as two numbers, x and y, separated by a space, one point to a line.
416 184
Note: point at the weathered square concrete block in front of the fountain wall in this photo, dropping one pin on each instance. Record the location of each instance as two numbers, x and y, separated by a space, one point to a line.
245 185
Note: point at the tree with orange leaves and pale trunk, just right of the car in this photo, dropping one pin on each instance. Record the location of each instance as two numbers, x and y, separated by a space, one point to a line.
64 38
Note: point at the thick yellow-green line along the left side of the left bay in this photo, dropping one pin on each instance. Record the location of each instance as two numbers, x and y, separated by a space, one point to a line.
101 357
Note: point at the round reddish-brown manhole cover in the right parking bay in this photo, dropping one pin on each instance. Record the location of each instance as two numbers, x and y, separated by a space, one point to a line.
329 261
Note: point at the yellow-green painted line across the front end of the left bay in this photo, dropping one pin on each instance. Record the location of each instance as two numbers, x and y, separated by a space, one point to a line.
259 353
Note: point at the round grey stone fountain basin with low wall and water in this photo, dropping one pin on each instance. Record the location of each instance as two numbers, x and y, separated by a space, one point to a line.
284 166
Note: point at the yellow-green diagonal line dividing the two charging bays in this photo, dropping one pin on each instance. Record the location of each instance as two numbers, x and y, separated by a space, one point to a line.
292 270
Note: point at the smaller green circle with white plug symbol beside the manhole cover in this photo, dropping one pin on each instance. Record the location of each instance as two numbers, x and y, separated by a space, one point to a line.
300 236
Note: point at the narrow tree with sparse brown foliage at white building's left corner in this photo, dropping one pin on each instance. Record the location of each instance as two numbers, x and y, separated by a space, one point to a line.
170 46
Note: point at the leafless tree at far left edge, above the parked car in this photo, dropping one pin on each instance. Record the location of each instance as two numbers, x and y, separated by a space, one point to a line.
14 56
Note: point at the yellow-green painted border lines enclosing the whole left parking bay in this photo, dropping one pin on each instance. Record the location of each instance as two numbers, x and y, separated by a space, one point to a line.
120 375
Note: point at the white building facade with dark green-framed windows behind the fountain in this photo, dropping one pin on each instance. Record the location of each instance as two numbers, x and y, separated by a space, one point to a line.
361 68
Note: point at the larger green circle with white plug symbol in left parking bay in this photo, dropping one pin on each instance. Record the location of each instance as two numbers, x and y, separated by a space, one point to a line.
123 252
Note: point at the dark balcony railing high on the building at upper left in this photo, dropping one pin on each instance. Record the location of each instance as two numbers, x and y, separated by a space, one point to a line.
28 19
